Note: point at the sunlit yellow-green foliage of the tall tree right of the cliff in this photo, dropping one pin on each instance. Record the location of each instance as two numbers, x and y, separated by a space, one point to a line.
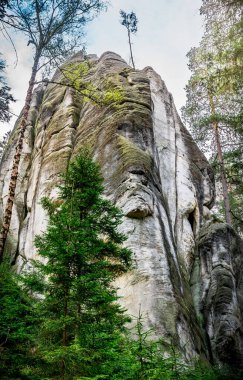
214 94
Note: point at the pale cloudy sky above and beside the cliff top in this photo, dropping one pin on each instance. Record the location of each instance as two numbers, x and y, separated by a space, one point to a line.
167 30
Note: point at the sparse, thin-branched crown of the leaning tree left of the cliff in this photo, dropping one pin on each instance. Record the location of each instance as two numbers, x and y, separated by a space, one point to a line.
53 28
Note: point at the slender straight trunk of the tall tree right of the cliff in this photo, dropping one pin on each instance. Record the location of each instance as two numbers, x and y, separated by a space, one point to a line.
228 217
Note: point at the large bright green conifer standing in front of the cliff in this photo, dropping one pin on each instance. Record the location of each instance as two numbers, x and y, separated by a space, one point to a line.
81 325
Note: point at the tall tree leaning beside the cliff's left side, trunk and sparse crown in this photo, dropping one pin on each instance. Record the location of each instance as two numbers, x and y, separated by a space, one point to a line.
54 30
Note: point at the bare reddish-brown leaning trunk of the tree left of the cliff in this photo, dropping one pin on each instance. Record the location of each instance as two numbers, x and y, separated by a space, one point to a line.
18 150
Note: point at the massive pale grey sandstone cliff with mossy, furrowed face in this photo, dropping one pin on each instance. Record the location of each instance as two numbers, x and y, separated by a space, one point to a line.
188 292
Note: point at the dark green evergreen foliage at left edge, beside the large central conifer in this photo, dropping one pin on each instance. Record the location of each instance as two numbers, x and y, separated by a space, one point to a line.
17 324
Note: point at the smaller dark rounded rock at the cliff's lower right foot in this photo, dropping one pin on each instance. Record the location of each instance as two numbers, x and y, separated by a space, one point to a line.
217 286
